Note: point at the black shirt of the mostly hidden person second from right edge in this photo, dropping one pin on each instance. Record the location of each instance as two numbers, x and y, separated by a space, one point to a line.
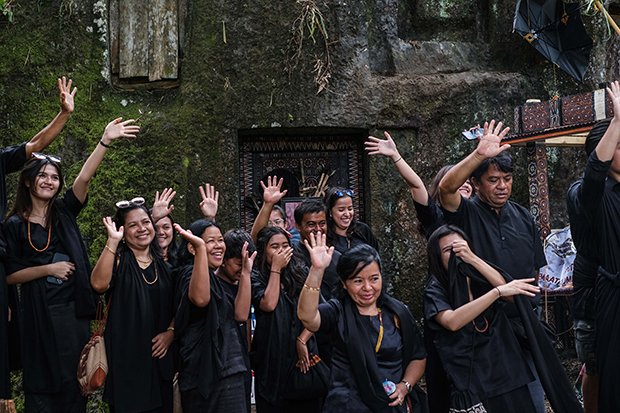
586 261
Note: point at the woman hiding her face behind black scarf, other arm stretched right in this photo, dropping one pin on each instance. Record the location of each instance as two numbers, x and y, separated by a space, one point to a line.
476 344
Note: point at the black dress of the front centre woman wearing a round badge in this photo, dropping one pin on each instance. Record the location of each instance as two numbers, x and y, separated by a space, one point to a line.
348 388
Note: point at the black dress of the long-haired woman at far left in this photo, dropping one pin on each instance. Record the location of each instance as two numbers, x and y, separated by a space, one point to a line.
56 317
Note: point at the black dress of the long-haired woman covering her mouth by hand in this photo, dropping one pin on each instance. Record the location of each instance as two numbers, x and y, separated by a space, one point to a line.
274 352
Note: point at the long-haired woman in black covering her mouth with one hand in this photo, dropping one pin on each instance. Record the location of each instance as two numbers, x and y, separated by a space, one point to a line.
277 280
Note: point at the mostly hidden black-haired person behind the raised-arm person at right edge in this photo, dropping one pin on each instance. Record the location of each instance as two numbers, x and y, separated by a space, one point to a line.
585 270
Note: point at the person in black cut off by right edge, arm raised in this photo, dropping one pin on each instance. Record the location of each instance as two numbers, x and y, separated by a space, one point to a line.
599 197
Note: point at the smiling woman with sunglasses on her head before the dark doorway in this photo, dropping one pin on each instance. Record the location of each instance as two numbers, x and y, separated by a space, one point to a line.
344 231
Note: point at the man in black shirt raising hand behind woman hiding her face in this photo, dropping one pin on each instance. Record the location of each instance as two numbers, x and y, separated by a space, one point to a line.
502 232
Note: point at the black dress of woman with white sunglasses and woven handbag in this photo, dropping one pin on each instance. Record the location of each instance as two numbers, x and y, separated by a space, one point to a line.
141 307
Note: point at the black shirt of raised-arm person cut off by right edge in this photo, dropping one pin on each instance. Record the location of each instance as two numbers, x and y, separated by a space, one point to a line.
600 198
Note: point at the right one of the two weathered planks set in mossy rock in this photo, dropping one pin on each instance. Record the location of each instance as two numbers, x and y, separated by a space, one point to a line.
163 40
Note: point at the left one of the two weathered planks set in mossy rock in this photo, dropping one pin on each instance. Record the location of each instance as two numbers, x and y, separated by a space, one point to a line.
133 45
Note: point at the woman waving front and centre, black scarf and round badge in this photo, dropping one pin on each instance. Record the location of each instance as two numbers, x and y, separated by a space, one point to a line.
379 354
